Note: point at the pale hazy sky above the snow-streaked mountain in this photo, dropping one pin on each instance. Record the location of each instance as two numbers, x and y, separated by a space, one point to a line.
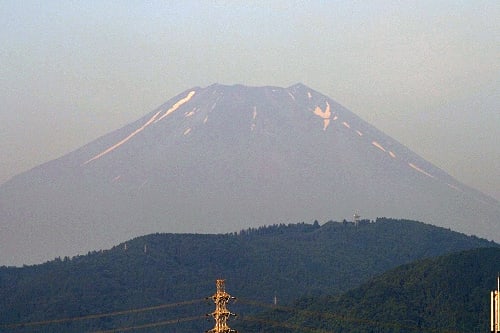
426 73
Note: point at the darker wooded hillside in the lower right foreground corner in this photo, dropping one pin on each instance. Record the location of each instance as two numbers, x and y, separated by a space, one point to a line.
445 294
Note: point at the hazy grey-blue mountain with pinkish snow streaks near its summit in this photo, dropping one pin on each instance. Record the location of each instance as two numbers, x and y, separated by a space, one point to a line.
223 158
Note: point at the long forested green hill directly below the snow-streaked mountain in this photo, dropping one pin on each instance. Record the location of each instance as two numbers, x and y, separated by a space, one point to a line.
288 261
